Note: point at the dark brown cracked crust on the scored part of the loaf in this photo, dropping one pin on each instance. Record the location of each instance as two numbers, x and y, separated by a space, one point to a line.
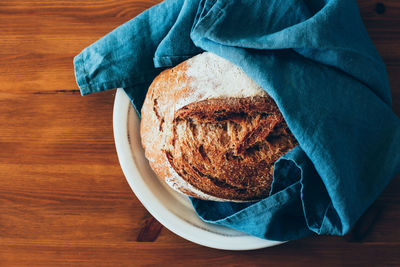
227 147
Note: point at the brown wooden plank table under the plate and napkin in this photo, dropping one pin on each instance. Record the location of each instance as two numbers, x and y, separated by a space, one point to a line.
63 196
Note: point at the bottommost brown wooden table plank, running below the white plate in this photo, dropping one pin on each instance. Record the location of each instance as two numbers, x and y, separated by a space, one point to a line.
297 253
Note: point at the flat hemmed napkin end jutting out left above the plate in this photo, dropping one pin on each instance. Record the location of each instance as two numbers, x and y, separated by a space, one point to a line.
124 57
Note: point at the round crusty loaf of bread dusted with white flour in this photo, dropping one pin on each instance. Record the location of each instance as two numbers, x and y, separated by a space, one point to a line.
209 131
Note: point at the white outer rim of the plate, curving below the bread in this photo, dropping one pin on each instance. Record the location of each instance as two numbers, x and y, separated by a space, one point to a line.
167 218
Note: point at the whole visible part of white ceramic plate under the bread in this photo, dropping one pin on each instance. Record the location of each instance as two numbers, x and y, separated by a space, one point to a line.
170 208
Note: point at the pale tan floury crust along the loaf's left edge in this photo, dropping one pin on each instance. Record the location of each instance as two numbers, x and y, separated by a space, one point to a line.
156 117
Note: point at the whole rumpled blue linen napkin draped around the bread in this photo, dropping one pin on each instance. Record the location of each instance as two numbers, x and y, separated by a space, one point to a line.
315 59
